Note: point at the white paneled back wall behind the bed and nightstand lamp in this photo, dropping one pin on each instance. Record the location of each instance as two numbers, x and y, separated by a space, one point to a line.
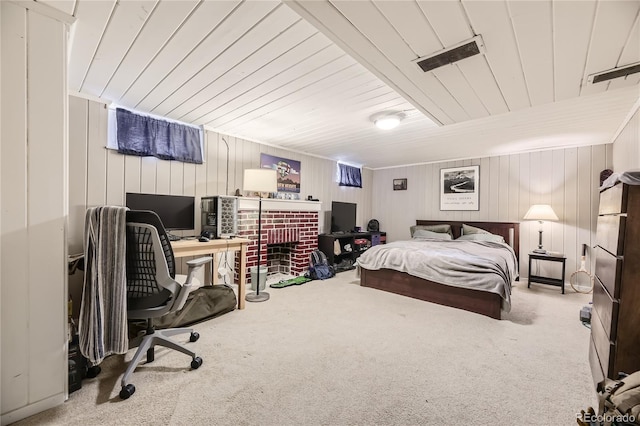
568 179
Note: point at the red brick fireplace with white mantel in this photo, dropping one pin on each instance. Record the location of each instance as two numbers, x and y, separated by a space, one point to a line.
289 233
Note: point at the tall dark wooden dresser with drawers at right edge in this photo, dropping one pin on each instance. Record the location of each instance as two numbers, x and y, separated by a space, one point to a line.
615 334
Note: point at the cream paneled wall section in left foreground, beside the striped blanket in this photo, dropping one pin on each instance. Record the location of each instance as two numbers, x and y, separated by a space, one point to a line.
33 174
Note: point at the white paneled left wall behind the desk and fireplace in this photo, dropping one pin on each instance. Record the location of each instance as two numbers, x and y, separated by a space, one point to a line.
99 176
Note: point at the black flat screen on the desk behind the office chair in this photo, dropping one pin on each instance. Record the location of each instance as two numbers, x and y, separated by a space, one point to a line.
177 212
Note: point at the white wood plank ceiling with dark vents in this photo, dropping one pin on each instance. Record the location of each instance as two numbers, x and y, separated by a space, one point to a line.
309 75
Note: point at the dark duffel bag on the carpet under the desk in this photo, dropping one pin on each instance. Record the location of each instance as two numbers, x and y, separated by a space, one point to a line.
202 304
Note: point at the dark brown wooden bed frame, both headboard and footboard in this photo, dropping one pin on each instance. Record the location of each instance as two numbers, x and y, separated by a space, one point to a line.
481 302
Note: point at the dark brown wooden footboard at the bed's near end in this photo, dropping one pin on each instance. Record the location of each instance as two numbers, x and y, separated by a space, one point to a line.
480 302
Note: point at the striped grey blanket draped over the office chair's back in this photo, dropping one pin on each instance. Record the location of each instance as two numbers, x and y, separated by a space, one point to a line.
103 313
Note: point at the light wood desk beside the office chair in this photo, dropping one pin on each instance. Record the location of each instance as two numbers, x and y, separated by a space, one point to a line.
185 248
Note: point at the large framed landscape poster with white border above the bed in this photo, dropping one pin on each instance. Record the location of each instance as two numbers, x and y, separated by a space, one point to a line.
459 188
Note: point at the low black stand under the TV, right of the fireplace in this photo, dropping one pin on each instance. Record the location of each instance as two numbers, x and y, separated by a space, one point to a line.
342 250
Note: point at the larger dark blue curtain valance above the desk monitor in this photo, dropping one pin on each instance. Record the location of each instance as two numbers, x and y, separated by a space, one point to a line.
146 136
